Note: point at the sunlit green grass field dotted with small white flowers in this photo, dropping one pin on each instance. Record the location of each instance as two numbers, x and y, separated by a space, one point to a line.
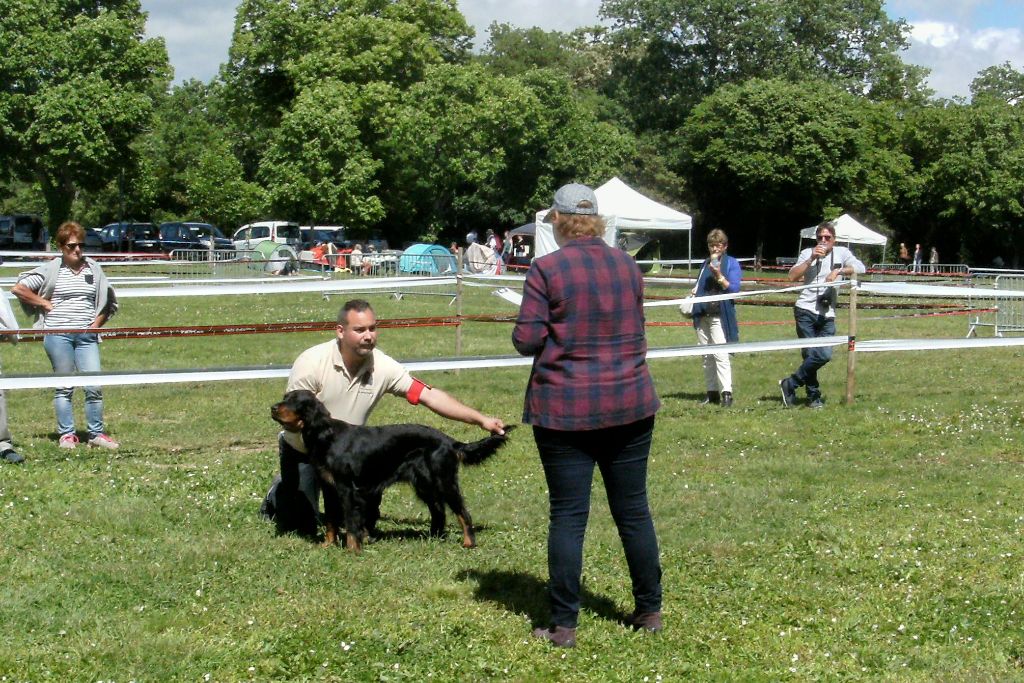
881 540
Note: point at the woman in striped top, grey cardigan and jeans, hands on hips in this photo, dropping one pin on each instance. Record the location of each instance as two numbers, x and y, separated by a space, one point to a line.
72 293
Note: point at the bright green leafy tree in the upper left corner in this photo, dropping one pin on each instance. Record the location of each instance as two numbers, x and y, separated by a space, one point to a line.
78 82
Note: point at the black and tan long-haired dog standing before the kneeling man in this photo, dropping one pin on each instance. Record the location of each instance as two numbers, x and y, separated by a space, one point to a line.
356 464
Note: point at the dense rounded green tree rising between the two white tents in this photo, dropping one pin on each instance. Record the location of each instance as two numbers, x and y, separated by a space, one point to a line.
766 158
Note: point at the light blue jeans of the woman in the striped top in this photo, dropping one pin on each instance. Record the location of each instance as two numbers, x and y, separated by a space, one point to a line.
70 354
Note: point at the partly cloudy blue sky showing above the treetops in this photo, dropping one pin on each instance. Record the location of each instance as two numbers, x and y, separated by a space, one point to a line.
954 38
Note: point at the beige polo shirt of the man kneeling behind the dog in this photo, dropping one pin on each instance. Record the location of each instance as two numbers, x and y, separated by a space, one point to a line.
352 399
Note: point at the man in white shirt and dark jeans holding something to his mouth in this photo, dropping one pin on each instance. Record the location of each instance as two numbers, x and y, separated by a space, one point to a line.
816 310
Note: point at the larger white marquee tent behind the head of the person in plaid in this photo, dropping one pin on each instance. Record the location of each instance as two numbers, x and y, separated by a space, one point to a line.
623 209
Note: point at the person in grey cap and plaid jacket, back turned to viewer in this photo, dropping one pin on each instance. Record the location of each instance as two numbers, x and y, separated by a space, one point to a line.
592 402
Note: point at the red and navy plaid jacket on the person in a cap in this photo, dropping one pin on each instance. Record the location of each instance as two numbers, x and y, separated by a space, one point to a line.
582 320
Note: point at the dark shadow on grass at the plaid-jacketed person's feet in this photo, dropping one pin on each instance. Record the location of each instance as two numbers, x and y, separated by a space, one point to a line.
526 594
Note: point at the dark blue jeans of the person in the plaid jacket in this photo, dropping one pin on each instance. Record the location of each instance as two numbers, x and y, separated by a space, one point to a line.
569 460
